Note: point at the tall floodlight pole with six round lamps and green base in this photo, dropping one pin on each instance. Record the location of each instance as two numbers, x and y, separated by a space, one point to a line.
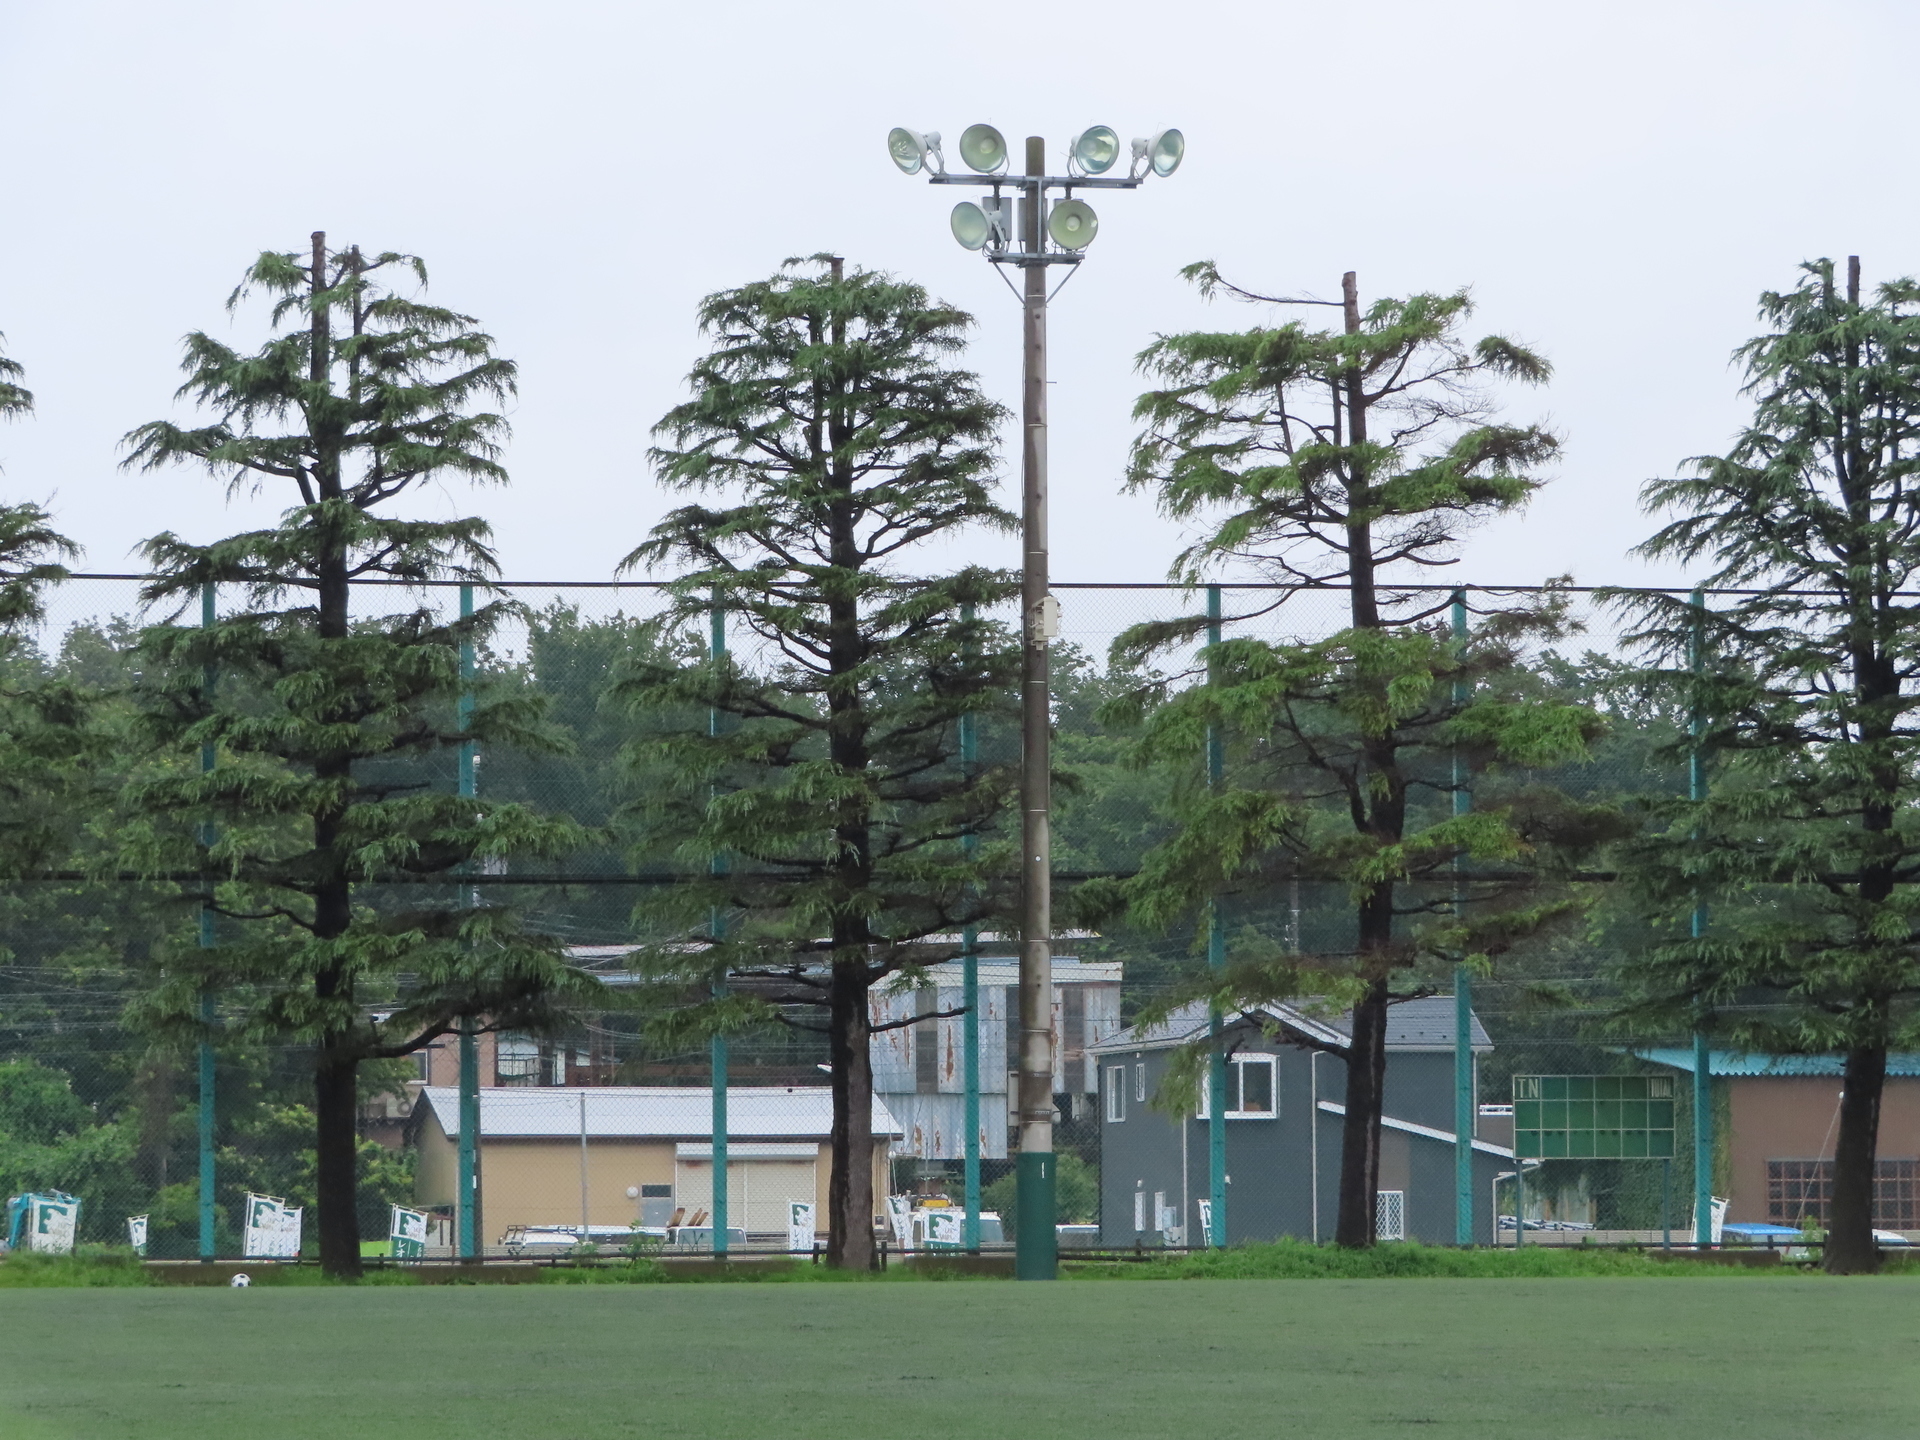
1032 241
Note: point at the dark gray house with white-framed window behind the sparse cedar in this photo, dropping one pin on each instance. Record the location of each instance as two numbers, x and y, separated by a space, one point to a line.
1285 1090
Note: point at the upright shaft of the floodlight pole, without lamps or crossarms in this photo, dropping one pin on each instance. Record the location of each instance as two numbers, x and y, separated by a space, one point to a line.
1036 1241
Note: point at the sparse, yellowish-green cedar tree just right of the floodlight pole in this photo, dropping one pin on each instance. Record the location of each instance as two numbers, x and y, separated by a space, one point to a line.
1328 462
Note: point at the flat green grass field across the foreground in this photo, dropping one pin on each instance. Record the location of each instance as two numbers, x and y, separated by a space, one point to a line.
1320 1360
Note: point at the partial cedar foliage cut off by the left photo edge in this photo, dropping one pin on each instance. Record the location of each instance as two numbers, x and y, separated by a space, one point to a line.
43 721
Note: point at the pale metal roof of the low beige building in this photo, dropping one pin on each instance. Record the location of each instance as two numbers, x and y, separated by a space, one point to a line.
613 1113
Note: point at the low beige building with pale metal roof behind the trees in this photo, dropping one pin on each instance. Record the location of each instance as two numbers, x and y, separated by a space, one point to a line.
623 1155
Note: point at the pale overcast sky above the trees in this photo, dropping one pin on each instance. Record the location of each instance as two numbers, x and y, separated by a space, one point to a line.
1616 183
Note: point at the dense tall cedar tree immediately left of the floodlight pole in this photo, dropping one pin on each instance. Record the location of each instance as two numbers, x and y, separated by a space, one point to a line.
817 782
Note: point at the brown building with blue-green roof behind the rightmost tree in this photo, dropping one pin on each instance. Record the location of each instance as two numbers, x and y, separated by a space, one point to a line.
1781 1116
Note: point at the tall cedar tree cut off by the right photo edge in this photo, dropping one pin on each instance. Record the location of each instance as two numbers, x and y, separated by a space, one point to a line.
1808 713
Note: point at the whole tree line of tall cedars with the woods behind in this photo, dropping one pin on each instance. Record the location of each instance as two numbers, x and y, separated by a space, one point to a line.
815 736
